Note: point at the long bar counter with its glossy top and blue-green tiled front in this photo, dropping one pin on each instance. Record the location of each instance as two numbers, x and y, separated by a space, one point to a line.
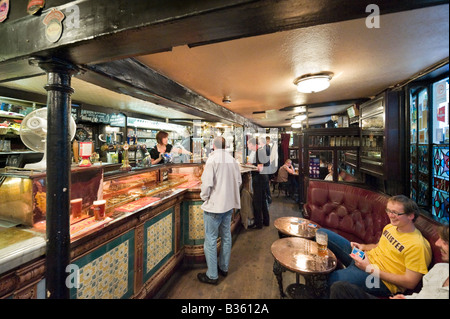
129 254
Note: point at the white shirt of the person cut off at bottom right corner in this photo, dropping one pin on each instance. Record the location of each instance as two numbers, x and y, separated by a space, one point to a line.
432 284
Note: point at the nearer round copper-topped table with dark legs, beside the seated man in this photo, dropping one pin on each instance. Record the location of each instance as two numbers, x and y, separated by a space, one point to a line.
300 256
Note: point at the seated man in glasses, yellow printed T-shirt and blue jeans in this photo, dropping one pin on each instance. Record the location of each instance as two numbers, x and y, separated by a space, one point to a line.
396 263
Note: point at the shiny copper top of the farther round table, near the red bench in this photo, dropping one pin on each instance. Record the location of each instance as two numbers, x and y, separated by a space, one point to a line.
295 226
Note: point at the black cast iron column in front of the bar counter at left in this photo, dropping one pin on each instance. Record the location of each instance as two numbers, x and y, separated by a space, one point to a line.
59 89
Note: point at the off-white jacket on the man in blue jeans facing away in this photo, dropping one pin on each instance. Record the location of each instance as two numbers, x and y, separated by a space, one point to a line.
221 180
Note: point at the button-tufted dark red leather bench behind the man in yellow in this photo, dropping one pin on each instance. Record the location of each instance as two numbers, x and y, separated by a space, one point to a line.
358 214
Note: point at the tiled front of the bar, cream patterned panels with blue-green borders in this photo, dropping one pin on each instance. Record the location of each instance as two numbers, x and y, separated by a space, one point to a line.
130 258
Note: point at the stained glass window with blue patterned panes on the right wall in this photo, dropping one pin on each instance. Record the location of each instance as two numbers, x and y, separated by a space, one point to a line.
429 148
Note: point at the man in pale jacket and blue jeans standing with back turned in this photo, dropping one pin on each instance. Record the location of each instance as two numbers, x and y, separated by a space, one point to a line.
221 180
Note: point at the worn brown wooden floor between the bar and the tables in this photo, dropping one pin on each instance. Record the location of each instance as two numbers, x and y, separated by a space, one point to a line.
250 274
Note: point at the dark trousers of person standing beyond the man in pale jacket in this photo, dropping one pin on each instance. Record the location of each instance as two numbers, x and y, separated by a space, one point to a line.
260 209
